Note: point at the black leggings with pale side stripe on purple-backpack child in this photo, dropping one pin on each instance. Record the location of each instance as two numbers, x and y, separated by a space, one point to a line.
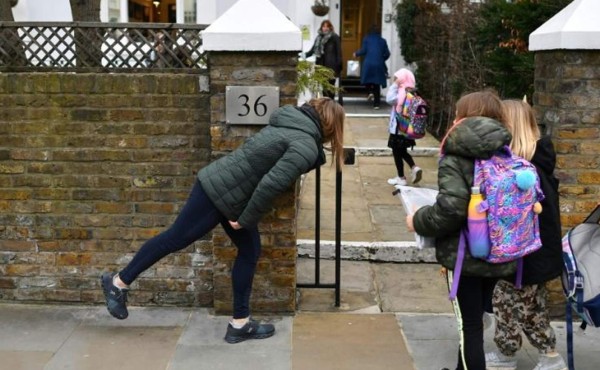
471 298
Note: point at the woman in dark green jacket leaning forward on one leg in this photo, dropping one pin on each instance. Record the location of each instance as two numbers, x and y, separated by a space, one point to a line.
235 191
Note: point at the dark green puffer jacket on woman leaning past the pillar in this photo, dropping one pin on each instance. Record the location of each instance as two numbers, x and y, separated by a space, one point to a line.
243 184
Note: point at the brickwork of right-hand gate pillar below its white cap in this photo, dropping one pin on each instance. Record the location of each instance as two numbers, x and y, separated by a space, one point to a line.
567 101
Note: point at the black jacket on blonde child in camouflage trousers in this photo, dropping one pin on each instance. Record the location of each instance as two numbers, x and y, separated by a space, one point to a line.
546 263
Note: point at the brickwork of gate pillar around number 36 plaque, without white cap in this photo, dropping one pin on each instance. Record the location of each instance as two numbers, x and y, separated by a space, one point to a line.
275 280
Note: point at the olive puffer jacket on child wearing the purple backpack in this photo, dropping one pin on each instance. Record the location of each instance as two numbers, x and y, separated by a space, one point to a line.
475 137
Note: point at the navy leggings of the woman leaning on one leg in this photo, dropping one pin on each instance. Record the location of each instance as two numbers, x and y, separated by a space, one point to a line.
196 219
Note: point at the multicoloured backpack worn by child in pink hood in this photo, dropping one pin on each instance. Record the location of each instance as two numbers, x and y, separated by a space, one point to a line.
412 120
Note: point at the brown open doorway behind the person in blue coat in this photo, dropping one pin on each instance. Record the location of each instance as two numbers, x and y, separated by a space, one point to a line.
357 16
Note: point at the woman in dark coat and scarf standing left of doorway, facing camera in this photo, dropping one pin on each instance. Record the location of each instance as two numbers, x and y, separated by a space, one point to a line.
328 52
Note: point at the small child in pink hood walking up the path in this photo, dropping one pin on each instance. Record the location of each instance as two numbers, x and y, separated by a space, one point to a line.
403 79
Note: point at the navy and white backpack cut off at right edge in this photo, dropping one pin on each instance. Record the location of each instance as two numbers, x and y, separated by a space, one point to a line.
581 276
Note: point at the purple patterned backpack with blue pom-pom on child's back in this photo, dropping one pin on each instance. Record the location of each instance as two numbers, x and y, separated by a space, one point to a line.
512 192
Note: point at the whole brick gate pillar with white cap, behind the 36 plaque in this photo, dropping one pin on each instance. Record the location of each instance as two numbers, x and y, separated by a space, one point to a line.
253 44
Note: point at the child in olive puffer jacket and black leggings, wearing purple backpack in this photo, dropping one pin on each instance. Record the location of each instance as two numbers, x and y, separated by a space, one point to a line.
478 131
